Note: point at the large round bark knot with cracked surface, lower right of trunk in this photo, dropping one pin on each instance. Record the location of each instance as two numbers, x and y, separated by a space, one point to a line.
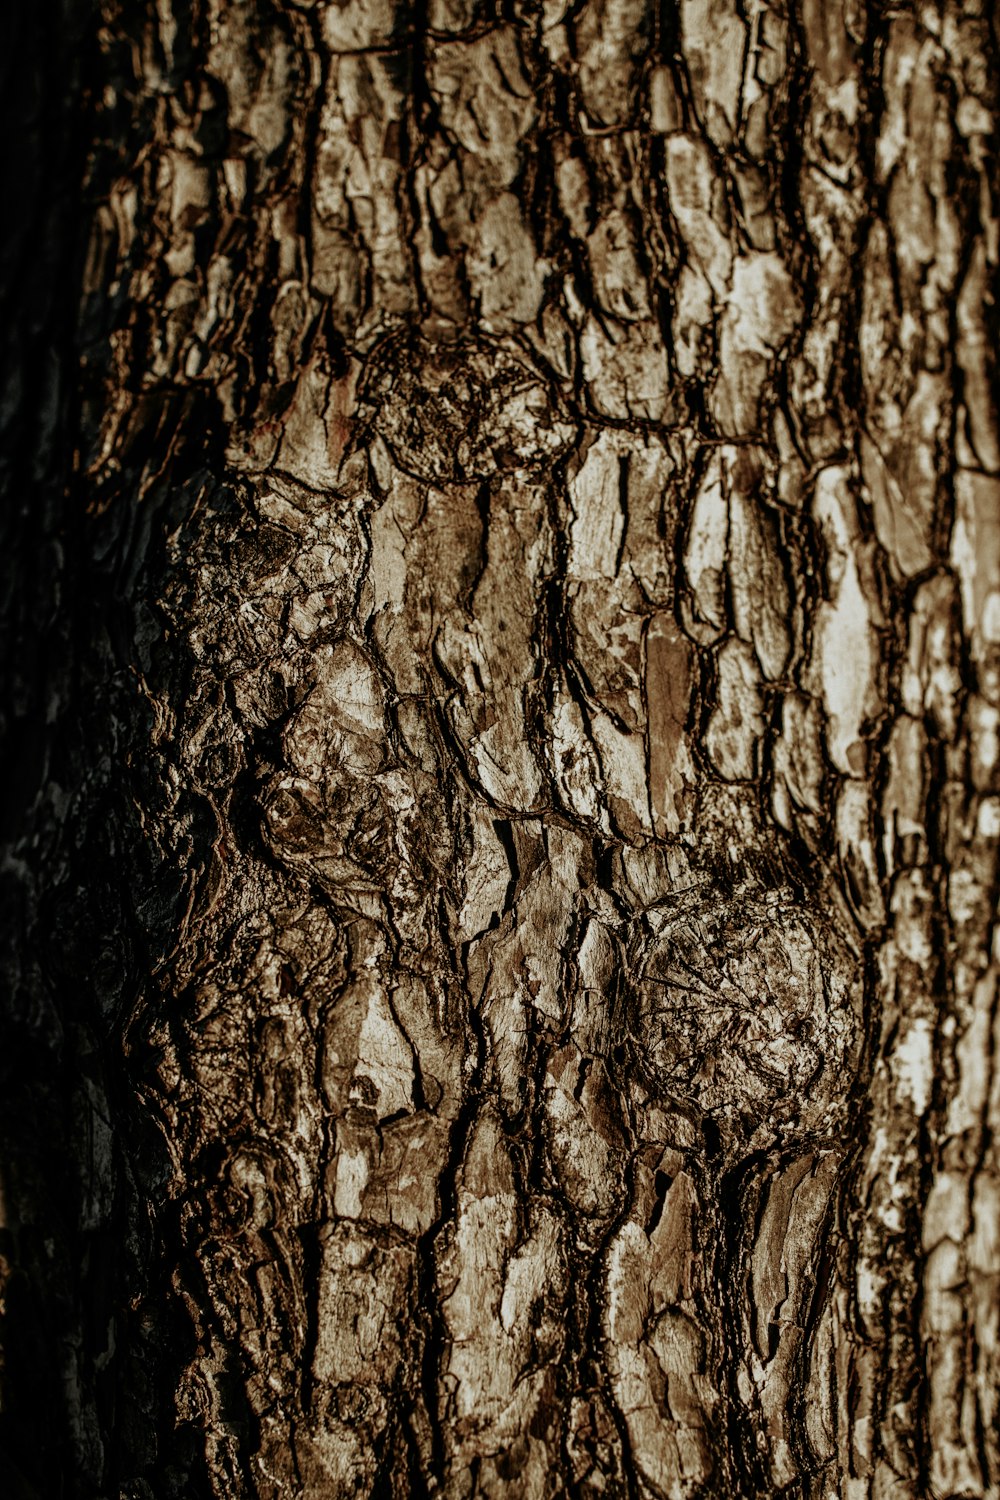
749 1010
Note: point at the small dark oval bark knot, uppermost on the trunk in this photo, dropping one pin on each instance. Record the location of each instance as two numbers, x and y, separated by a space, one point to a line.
464 412
